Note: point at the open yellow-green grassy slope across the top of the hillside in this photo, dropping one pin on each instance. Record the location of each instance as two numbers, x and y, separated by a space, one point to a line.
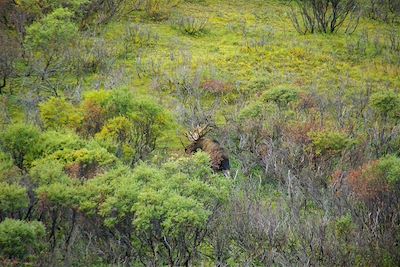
287 58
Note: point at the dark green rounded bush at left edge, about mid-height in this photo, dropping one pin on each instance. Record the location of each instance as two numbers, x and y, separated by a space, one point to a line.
21 142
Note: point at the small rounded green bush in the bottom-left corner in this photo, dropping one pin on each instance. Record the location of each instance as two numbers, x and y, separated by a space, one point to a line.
20 239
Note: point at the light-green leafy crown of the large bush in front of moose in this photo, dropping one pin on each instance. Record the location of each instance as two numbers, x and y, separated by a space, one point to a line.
172 200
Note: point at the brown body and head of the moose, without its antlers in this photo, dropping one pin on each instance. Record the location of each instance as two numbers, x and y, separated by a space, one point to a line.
219 158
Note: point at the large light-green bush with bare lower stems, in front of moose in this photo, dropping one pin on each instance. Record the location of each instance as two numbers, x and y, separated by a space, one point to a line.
170 204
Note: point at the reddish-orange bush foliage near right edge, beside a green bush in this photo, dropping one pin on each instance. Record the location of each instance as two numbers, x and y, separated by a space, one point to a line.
367 182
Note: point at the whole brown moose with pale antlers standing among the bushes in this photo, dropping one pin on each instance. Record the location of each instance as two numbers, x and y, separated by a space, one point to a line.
219 158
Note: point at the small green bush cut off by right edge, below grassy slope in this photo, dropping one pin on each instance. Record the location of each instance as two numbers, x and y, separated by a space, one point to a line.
386 104
